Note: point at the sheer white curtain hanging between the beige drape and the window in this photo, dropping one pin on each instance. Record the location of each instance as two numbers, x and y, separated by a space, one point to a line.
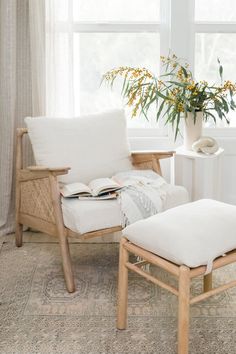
59 58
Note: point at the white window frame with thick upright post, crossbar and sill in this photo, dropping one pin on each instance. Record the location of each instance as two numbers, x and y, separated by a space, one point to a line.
177 28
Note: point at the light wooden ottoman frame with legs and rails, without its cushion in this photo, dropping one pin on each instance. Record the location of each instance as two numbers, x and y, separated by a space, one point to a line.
184 275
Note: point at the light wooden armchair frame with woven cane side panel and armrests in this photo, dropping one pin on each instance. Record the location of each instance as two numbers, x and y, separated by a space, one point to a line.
38 203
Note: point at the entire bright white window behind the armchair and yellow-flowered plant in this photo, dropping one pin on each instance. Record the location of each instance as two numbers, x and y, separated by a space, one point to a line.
90 37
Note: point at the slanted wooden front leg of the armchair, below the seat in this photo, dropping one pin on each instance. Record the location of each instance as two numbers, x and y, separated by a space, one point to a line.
66 263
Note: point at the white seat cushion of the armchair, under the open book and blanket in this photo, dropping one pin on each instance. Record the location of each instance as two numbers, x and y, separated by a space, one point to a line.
86 216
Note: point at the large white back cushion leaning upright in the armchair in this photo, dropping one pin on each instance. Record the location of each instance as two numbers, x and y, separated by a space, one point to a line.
93 146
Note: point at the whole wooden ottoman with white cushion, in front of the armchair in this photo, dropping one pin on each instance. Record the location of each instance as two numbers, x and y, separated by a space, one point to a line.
187 241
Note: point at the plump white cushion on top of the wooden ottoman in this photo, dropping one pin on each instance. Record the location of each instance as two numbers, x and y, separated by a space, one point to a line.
193 234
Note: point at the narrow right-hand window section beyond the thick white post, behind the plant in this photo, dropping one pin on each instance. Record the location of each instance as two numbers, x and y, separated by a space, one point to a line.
215 37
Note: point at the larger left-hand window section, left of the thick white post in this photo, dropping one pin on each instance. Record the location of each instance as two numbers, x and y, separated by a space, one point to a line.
94 36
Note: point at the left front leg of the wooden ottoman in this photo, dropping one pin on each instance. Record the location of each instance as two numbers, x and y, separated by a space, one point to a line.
122 287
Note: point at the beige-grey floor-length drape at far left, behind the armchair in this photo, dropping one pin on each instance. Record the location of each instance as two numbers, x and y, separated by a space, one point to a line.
22 90
